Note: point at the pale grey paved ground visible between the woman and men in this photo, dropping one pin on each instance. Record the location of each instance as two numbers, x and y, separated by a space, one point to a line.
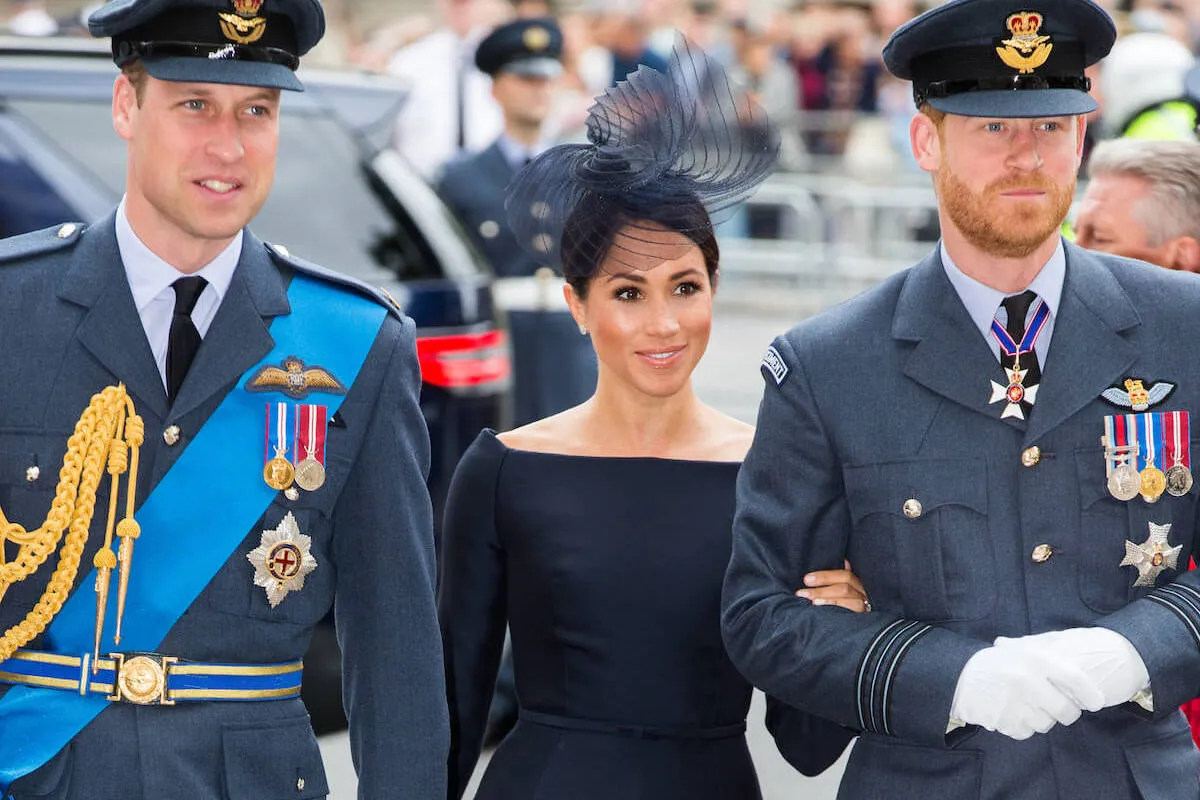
729 380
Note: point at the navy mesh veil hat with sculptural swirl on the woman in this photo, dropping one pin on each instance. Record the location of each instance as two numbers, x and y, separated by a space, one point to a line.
661 148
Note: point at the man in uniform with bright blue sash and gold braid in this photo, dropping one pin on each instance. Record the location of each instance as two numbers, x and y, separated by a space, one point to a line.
262 436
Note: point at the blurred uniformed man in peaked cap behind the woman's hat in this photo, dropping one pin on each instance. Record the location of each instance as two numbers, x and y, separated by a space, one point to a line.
554 365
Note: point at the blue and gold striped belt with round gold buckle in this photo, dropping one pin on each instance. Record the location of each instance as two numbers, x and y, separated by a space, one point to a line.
153 679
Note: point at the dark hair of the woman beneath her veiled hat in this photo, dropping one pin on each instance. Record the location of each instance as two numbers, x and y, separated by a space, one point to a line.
595 226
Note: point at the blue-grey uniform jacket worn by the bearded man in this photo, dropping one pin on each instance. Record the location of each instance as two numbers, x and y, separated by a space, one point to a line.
885 400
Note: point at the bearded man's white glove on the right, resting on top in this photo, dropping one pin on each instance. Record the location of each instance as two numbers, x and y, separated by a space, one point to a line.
1106 657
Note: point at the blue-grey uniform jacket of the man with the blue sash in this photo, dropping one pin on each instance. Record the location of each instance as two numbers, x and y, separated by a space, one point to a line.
68 329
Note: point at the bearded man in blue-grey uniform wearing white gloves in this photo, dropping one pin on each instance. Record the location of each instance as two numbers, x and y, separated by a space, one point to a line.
998 441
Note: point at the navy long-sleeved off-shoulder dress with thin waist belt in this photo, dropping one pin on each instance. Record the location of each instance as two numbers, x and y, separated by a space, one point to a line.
609 574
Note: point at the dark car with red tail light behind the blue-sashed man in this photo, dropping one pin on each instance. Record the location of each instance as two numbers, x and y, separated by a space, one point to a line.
341 200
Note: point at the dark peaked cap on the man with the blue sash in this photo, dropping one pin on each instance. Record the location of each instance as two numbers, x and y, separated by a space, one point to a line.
244 43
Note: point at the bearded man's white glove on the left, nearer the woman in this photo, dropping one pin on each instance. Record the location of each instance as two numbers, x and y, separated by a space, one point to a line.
1019 694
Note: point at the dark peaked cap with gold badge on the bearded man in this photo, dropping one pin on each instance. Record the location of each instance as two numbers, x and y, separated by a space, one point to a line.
1003 58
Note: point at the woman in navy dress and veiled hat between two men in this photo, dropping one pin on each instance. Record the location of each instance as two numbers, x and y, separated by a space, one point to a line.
602 536
